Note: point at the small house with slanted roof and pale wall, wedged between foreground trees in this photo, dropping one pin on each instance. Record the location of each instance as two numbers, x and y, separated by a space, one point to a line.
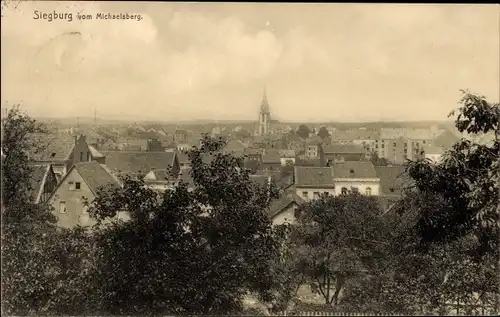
282 210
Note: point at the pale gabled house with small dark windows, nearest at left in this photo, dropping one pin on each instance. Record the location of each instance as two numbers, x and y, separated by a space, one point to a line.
79 187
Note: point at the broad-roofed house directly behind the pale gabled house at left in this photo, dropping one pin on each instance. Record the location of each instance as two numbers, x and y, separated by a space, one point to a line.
61 151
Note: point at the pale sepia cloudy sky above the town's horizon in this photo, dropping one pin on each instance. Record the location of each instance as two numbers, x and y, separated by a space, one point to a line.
184 61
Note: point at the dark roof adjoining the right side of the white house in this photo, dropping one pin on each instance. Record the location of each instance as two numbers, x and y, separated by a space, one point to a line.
392 179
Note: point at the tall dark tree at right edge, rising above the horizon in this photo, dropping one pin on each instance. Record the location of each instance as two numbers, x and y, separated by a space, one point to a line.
456 206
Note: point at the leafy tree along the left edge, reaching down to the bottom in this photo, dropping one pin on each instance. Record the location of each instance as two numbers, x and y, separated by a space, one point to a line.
41 266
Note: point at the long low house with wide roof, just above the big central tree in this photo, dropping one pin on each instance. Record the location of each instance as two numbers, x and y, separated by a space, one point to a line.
137 163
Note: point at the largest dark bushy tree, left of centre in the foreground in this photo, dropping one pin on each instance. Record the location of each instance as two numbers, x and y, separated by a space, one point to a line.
186 251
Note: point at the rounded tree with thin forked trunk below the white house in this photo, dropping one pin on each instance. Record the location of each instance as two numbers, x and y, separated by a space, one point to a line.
340 239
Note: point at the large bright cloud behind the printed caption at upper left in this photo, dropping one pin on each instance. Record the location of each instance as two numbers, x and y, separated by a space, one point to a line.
194 52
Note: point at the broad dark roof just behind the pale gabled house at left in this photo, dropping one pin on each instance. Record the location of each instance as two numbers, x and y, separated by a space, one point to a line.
54 147
